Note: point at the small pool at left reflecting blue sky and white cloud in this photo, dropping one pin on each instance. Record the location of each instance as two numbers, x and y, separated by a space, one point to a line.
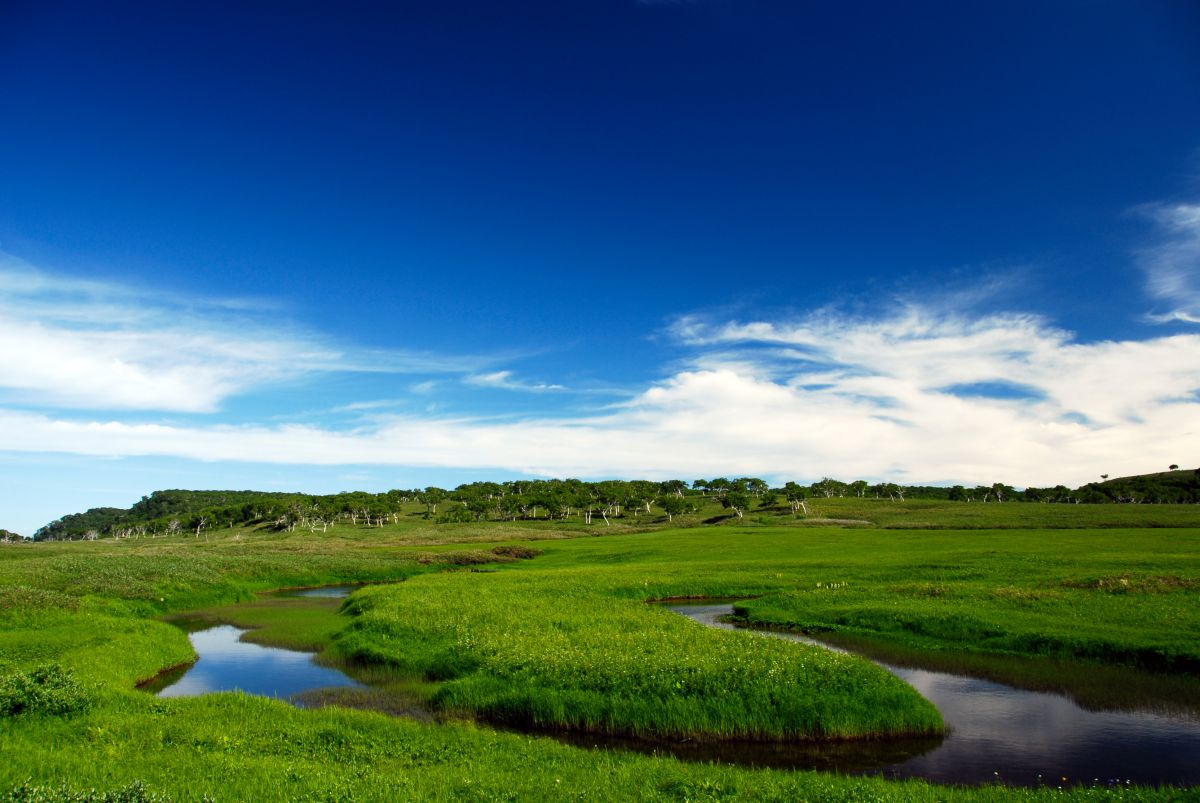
227 664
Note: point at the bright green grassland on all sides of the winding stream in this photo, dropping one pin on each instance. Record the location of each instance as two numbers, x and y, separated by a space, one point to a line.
566 640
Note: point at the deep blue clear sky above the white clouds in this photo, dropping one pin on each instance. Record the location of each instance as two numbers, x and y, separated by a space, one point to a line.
547 188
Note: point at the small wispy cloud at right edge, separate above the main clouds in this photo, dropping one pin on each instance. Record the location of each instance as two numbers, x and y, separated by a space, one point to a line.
1173 265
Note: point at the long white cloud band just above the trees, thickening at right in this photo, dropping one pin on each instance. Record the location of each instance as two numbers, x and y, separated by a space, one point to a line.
866 399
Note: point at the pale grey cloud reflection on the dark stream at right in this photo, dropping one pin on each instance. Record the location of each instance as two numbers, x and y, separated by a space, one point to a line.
1021 735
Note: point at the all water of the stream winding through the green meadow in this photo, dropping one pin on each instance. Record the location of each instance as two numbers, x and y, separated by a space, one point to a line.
995 733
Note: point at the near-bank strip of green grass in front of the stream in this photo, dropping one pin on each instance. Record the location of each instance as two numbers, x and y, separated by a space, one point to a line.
233 747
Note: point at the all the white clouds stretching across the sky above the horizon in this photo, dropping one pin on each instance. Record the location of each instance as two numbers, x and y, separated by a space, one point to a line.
915 394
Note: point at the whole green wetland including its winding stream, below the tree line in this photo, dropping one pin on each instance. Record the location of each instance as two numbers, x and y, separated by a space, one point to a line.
447 668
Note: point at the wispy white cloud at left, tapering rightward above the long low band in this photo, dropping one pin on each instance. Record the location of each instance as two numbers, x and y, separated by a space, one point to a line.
103 346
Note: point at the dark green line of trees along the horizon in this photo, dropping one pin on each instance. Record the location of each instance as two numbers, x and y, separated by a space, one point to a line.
173 513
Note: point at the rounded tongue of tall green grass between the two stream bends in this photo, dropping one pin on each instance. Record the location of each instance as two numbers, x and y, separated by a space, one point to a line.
559 651
